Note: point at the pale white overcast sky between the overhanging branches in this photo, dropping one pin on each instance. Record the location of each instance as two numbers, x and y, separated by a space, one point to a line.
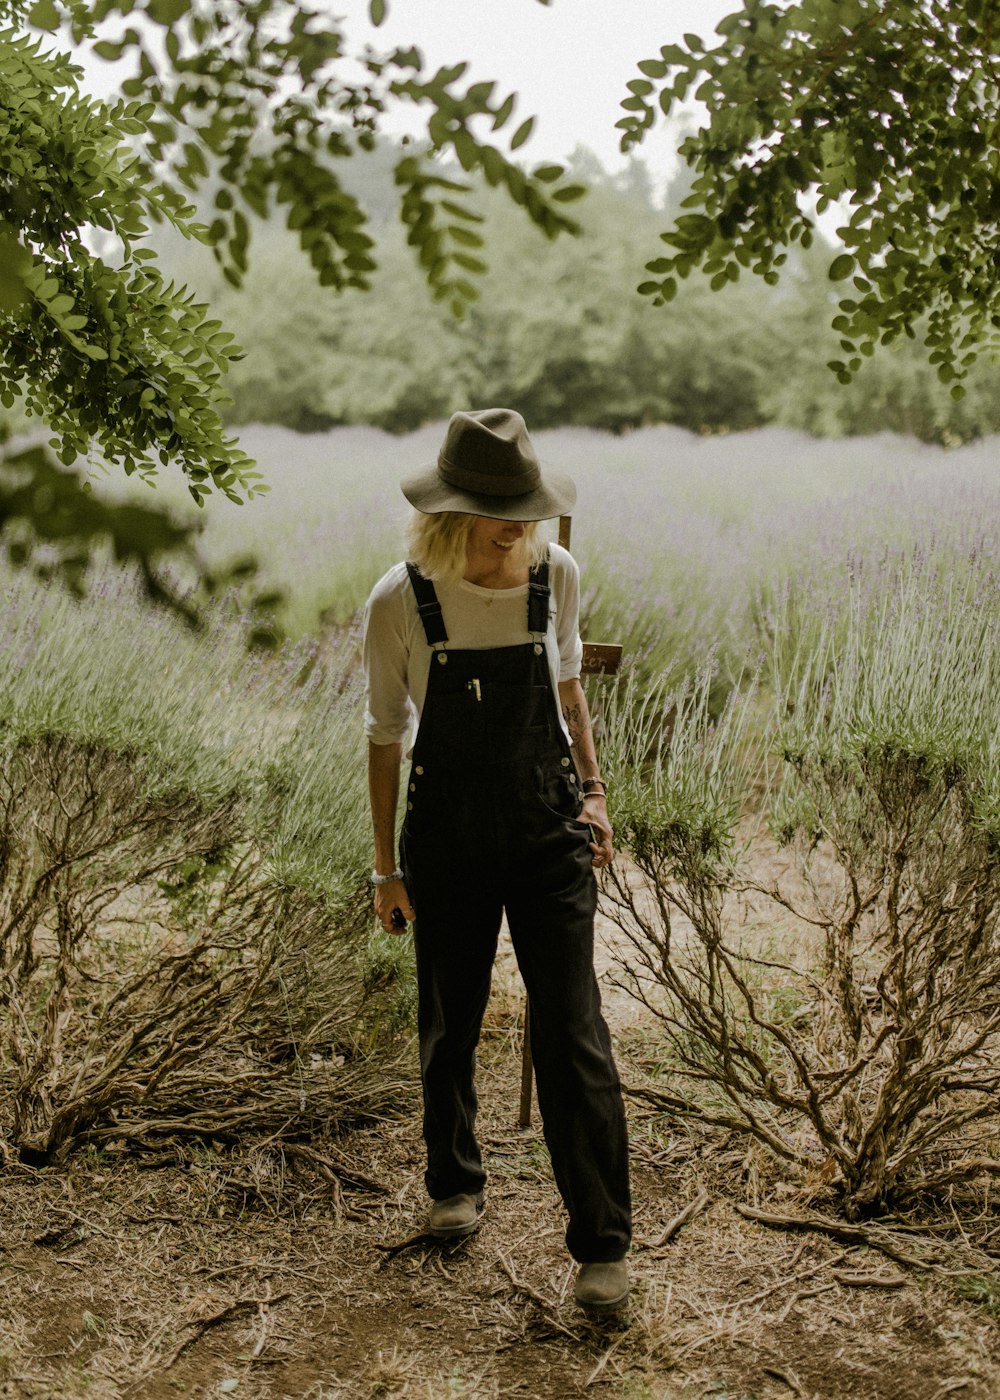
568 61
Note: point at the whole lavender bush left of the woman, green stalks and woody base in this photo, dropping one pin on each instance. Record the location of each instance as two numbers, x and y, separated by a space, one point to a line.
184 923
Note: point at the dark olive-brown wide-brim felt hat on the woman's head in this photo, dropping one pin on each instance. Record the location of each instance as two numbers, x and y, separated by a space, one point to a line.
488 467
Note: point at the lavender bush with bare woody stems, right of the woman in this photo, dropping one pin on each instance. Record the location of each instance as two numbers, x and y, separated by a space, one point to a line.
844 1014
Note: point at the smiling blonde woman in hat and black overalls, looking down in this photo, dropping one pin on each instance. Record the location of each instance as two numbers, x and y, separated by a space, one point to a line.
477 636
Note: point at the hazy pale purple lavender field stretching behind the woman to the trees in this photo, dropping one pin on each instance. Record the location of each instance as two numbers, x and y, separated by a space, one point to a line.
680 537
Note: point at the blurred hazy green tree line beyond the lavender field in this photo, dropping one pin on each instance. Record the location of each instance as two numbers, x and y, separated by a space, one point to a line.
560 334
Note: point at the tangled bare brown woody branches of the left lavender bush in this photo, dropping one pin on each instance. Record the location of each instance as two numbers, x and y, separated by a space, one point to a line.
155 979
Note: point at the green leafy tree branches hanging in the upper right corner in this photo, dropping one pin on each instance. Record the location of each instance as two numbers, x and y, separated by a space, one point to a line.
889 106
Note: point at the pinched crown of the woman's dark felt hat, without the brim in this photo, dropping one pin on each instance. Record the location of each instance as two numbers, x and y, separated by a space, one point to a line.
489 453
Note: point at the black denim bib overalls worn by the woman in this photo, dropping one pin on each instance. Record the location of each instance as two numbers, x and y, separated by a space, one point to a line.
491 827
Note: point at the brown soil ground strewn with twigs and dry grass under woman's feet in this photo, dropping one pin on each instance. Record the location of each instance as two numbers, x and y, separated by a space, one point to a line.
268 1276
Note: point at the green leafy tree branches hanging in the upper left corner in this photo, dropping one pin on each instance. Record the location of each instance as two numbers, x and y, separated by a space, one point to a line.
240 108
